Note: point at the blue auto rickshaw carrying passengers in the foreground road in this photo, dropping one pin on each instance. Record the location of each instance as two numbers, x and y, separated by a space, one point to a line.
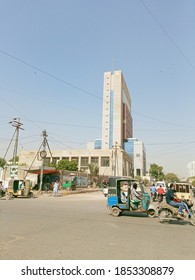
119 201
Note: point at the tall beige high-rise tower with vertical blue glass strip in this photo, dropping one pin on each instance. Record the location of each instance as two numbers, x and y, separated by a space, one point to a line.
116 115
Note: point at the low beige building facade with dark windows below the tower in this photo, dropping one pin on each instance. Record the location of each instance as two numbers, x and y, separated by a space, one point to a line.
110 162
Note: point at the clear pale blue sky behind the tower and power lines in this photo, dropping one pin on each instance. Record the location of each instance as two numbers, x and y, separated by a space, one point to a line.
52 58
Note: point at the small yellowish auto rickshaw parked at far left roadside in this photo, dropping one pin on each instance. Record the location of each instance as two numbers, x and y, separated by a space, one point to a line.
20 188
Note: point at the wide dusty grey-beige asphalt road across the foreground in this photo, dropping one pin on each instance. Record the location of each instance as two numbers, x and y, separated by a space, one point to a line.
79 227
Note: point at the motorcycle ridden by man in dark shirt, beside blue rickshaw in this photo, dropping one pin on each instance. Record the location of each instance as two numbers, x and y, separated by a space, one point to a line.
169 213
